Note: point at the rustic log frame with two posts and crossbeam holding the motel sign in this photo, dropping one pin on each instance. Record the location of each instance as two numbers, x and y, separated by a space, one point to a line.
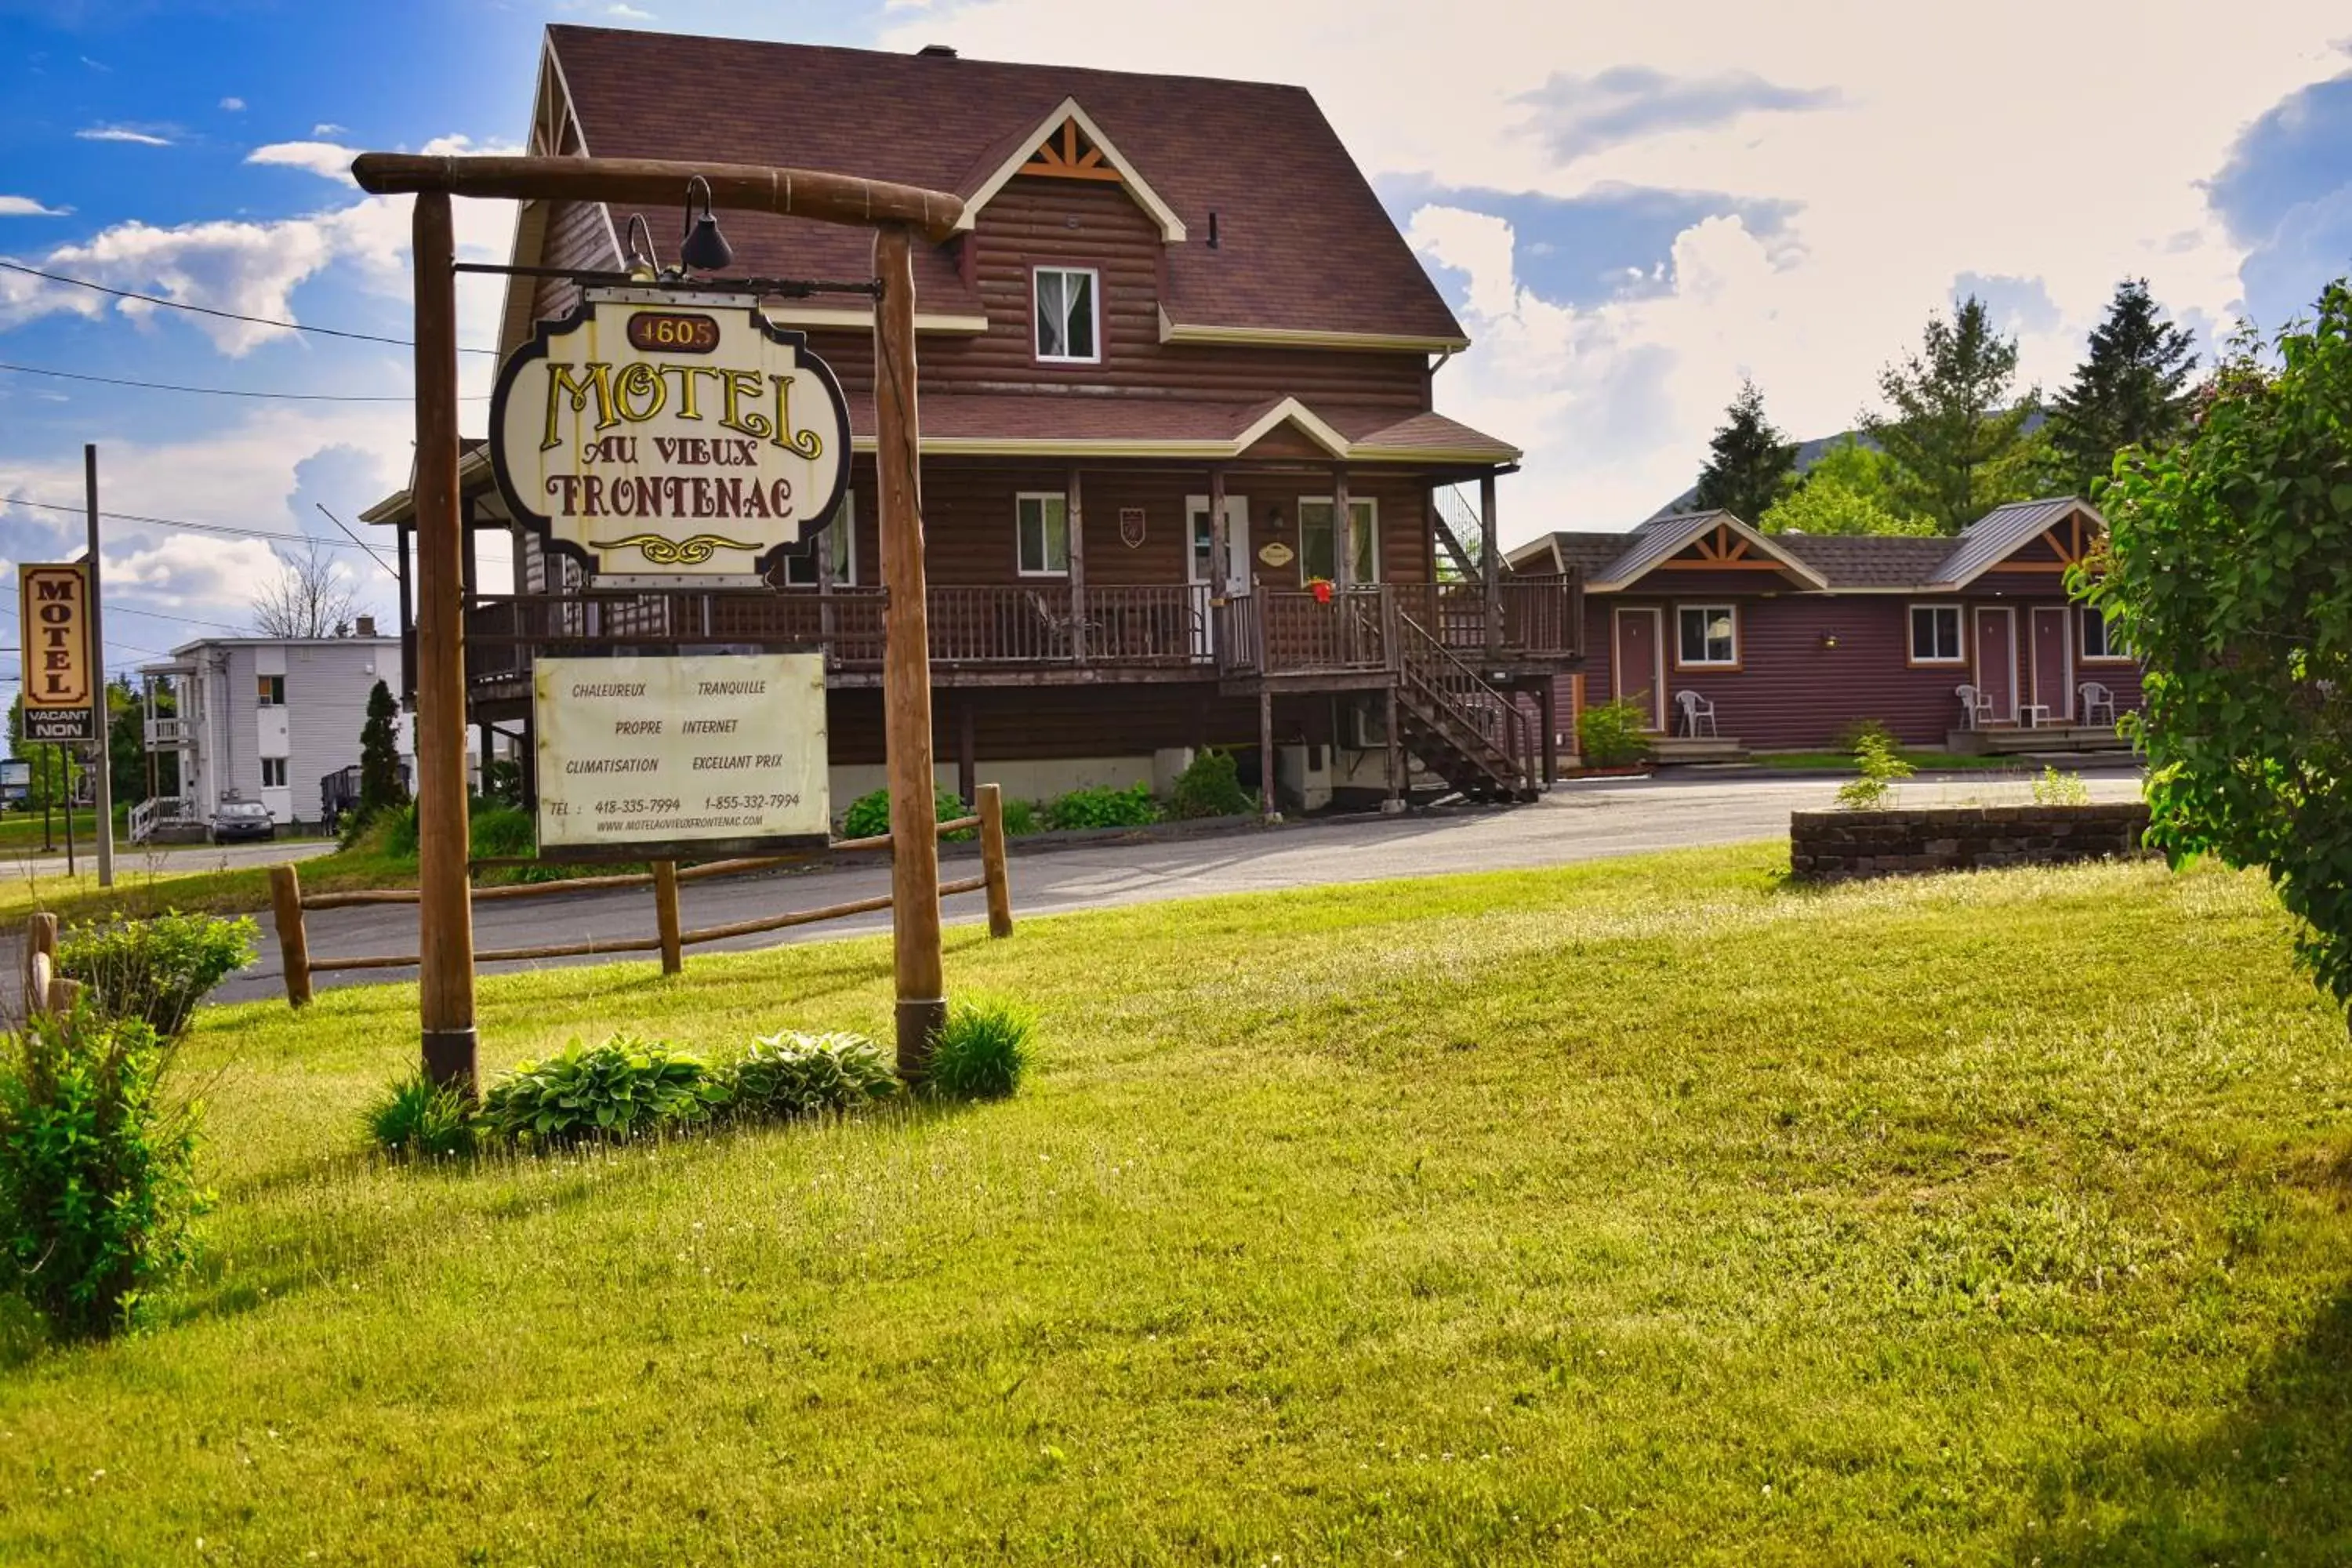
895 213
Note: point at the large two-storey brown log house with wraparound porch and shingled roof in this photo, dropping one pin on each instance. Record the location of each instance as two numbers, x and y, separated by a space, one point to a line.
1172 297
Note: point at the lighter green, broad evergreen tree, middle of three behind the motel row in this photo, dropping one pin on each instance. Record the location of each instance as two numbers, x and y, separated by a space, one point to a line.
1958 438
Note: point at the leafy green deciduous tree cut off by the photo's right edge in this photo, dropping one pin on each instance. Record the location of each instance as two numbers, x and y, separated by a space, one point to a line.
2229 575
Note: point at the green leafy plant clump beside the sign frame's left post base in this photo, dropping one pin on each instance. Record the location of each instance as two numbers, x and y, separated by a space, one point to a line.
620 1090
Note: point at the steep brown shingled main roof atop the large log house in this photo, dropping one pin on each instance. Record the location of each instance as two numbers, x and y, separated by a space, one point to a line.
1304 243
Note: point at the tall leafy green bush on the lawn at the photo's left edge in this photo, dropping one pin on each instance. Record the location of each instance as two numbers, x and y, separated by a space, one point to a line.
98 1177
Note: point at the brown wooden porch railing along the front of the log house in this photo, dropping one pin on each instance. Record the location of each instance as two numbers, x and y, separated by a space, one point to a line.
1038 624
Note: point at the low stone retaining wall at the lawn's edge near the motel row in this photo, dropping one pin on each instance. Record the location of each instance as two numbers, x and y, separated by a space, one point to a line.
1840 845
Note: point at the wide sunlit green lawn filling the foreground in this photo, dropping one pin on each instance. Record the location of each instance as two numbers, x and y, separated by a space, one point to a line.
1629 1214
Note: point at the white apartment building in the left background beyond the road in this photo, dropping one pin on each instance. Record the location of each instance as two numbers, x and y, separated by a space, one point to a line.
262 718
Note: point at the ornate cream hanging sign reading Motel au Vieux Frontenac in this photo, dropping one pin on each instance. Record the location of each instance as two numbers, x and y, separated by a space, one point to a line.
671 441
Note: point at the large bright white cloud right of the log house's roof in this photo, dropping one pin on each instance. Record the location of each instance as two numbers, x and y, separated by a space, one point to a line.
1937 161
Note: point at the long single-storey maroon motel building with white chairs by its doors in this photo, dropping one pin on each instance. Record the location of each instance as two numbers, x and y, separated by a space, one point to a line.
1789 641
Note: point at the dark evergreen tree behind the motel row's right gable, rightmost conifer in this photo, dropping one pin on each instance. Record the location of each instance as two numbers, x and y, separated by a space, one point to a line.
2132 391
